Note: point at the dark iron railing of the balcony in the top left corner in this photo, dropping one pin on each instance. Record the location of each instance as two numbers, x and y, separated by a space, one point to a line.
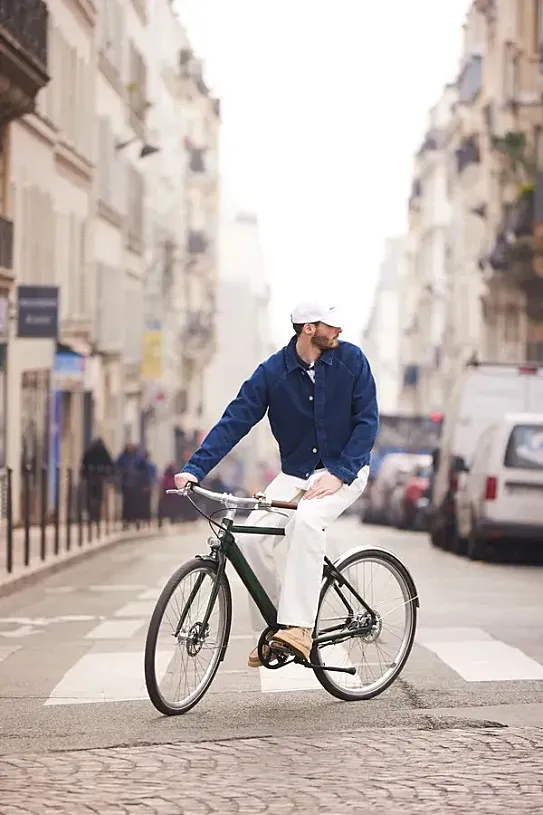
26 22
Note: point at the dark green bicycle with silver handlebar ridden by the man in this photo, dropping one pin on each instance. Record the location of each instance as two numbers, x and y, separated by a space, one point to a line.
191 636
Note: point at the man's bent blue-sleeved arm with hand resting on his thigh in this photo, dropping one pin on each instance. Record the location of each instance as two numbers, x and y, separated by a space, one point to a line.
366 425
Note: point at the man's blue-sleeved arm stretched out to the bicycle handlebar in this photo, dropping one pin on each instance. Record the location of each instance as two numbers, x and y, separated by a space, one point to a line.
247 409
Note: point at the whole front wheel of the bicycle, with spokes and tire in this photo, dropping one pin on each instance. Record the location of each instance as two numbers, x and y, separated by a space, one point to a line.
181 657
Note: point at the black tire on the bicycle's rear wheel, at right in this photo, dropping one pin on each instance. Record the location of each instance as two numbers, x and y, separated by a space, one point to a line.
322 676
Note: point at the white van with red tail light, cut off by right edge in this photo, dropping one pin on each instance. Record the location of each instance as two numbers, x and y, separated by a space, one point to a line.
501 494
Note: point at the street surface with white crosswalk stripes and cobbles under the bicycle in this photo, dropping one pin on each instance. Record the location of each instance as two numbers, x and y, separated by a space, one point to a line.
75 724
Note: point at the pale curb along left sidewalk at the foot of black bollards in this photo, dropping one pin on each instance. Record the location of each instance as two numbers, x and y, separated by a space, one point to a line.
31 575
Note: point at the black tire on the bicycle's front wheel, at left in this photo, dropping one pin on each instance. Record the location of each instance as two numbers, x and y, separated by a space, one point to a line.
153 689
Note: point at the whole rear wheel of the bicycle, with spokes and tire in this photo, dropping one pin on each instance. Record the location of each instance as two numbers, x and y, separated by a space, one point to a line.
377 650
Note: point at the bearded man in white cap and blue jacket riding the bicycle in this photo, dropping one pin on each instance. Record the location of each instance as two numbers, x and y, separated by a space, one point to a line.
320 396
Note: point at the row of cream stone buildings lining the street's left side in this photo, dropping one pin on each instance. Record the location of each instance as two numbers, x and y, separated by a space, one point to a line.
96 111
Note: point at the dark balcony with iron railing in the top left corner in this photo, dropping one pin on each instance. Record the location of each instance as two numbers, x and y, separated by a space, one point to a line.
23 55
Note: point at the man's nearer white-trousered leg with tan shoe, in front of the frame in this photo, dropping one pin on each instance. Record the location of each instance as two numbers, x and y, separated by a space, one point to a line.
306 541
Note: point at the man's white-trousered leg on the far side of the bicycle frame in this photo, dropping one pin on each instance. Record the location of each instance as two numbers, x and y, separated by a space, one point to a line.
258 549
